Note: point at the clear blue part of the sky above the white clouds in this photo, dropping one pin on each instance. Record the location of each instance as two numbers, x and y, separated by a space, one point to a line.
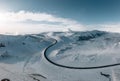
84 11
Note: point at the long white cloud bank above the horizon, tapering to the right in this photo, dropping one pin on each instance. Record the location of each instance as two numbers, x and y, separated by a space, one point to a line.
29 22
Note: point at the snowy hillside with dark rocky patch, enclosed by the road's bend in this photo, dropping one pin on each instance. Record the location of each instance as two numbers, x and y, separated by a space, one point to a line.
92 51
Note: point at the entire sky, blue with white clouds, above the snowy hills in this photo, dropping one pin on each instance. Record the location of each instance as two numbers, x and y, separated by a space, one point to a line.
34 16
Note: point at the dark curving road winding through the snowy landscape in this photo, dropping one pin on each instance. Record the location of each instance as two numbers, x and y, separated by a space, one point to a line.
71 67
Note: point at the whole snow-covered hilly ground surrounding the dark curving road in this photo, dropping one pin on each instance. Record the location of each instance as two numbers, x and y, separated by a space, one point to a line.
22 56
